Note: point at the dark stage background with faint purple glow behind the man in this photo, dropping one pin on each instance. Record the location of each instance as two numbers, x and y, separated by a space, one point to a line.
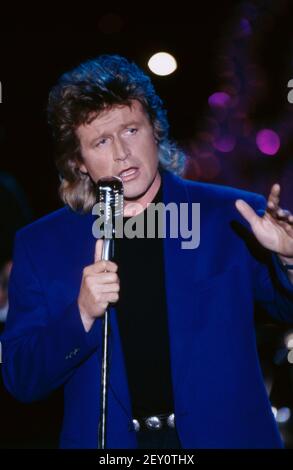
214 52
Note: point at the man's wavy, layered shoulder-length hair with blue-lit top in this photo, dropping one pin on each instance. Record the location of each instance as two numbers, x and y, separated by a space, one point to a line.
78 97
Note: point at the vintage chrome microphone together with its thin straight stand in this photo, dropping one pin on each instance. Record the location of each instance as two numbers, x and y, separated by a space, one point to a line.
110 200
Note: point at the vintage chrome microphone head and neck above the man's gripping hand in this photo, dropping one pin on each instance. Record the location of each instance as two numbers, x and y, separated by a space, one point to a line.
110 199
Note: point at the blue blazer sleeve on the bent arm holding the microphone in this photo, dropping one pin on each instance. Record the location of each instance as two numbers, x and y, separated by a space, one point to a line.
39 351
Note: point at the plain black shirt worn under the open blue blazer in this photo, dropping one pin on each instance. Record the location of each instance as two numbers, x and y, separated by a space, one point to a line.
143 322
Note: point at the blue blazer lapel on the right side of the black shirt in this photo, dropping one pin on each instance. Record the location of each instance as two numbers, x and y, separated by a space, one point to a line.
180 273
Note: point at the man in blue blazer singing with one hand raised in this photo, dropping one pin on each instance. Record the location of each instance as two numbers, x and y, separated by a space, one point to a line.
182 340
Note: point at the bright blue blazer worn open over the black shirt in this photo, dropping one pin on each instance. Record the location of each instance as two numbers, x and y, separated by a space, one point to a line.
219 394
